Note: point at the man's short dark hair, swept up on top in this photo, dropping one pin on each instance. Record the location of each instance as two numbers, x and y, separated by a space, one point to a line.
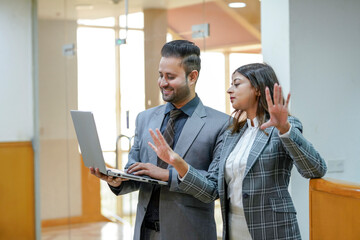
187 51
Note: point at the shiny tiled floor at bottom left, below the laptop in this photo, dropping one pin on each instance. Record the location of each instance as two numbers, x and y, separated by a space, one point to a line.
89 231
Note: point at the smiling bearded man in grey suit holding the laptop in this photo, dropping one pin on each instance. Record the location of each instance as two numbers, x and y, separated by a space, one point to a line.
164 212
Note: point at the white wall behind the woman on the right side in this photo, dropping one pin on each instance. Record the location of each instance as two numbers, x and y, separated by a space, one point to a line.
323 51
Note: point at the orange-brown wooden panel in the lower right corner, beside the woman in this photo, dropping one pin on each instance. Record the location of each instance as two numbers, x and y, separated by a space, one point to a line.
334 210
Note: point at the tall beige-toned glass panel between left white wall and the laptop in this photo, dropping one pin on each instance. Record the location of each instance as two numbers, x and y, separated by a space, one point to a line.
61 189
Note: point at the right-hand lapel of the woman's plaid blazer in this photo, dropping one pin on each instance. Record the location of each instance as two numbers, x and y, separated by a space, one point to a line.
260 142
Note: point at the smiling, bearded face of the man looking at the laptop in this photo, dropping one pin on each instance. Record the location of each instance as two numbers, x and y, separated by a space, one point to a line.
172 82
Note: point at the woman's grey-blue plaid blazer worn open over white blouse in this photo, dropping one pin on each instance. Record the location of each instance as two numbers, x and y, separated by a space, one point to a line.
268 207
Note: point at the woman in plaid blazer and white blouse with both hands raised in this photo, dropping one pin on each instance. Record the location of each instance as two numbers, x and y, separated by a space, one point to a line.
251 174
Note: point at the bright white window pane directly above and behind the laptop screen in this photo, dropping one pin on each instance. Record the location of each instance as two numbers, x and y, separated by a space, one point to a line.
96 83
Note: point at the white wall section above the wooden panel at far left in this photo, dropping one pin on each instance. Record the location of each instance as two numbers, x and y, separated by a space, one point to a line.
16 98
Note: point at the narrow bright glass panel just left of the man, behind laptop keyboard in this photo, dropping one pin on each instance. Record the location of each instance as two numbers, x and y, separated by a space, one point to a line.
132 102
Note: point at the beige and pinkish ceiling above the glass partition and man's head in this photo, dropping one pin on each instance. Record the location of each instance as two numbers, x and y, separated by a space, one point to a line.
231 30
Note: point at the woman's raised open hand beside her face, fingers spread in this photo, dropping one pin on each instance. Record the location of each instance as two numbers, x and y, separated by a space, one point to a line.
278 110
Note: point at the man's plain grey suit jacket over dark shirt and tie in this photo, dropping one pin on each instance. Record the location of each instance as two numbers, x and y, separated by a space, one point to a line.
181 215
